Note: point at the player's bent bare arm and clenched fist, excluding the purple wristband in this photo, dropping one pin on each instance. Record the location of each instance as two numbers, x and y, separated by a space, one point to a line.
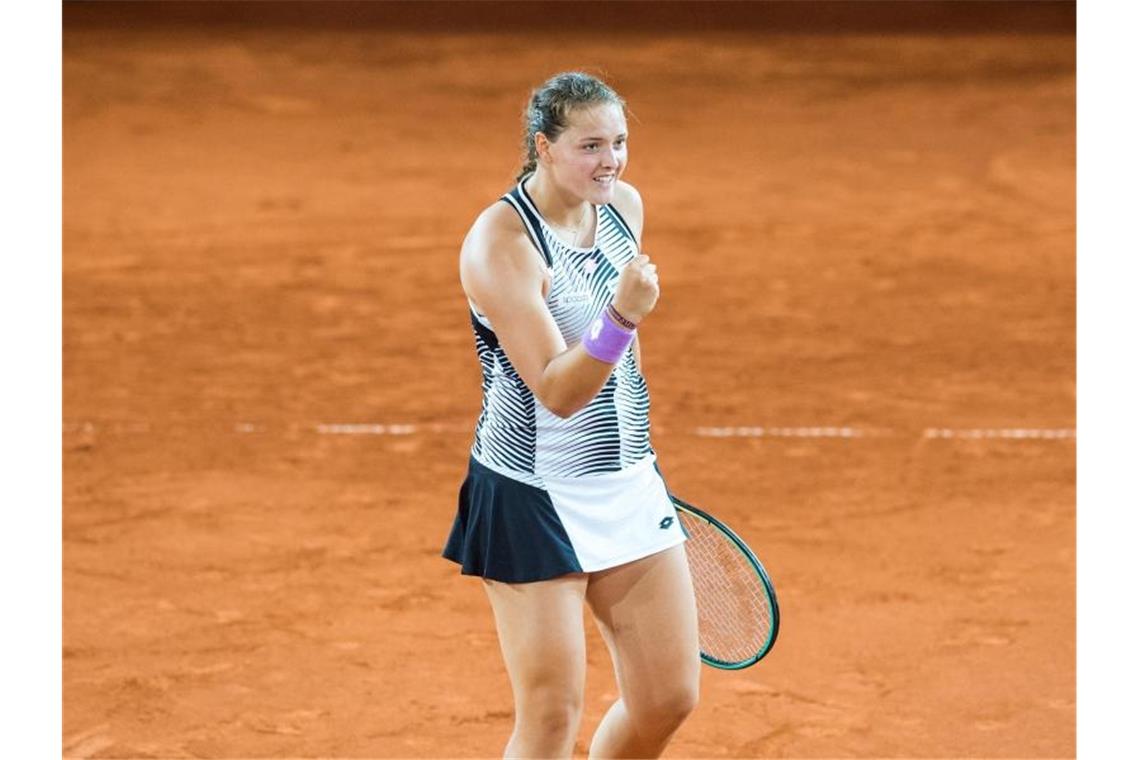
504 277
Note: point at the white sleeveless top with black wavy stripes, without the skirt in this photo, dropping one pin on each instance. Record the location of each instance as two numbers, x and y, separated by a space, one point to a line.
516 435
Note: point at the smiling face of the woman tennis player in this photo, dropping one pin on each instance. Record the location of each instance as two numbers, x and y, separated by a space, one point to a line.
590 154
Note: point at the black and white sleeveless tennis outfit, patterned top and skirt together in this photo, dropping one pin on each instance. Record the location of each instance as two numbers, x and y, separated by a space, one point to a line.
548 496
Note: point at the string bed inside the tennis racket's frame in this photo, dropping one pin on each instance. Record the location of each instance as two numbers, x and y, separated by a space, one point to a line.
732 604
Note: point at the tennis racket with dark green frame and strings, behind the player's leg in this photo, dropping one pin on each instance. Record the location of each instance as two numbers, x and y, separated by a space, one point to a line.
737 608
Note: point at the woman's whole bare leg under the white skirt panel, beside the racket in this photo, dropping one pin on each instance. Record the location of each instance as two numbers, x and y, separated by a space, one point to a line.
648 616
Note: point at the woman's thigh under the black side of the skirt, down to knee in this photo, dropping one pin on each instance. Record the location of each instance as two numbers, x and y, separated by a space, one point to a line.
541 634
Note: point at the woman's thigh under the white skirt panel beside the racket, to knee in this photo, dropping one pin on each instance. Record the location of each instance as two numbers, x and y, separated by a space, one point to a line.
647 612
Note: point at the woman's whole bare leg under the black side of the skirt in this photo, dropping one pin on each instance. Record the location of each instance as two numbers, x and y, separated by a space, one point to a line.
544 648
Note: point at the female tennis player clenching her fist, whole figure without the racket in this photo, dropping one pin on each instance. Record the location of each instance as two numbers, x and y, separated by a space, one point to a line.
564 503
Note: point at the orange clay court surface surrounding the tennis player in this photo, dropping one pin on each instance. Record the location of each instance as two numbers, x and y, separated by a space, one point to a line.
262 232
